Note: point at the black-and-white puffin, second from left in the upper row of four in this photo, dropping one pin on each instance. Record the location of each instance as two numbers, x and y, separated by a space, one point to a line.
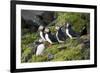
51 38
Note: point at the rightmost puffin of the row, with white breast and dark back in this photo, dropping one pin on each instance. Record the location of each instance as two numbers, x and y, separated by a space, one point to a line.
70 32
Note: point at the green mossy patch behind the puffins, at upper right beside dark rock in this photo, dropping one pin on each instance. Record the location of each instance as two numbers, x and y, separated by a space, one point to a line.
76 19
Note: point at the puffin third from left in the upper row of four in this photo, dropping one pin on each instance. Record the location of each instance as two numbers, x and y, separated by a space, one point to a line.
60 34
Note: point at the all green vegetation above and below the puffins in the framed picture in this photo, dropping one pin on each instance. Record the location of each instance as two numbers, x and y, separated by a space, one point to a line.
71 49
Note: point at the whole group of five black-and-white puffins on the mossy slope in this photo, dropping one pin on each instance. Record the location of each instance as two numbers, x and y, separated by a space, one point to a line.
59 37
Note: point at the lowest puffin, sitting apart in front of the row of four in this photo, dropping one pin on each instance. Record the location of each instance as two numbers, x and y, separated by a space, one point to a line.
39 47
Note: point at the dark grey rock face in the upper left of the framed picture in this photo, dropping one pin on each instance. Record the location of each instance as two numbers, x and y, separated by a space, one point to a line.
32 19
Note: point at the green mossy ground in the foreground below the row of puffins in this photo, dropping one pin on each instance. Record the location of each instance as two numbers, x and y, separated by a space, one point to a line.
72 49
